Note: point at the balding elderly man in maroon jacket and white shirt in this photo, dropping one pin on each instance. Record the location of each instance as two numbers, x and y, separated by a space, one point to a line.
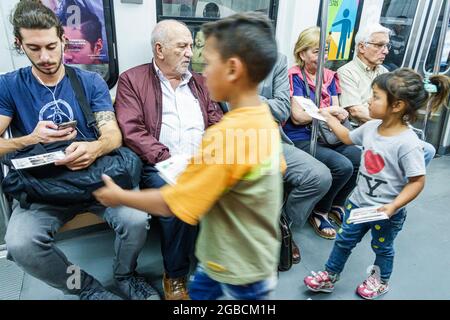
163 110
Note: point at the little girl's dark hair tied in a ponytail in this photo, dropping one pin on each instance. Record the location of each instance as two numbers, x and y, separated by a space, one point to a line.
408 86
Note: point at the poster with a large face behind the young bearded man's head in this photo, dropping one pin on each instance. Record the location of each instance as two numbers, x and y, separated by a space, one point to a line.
89 31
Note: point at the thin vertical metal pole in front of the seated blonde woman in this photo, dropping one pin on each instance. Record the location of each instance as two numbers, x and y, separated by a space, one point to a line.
319 76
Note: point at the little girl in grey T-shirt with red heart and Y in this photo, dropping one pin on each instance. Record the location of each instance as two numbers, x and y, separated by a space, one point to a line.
391 174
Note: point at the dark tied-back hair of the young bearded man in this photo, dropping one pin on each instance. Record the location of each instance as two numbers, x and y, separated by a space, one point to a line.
32 14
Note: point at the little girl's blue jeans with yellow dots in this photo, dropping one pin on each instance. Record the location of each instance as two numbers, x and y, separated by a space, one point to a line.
383 235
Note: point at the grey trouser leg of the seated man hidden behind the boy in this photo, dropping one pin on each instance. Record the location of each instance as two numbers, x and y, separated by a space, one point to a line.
307 181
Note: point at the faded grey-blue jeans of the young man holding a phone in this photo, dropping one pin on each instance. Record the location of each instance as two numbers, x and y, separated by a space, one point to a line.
31 245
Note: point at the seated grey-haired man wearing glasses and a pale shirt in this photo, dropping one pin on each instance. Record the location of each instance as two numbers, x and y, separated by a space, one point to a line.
356 77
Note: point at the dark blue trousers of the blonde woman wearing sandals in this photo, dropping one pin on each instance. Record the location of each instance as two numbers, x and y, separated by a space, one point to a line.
343 162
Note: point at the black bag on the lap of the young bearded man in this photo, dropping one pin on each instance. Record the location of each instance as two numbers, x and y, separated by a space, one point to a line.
59 185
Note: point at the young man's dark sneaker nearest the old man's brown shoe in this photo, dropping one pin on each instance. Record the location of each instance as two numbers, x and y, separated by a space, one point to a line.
136 288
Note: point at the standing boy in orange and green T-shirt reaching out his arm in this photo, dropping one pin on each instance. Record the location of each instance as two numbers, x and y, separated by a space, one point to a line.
234 183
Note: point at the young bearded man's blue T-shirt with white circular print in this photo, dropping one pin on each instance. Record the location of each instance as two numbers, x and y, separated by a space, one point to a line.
24 99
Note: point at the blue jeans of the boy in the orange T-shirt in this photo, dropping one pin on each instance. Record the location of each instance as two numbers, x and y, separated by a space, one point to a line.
202 287
